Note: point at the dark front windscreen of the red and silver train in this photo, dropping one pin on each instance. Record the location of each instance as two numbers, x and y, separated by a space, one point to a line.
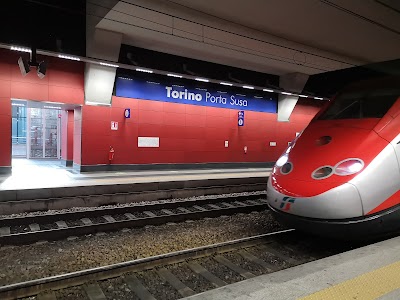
361 105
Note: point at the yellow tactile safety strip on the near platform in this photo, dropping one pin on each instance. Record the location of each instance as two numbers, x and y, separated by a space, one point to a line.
367 286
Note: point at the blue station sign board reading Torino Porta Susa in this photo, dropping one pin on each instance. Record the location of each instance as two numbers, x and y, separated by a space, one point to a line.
147 90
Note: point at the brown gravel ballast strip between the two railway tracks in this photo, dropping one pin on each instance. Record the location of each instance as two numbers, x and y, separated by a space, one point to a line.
28 262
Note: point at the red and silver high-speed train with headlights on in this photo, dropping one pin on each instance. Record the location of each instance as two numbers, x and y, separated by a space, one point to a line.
340 177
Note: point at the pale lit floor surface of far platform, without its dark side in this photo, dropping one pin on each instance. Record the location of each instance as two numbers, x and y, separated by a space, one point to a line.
49 173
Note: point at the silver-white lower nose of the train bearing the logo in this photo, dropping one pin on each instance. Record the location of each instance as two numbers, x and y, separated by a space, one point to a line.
338 203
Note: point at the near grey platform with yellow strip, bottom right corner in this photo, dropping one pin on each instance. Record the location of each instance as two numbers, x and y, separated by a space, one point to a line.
370 272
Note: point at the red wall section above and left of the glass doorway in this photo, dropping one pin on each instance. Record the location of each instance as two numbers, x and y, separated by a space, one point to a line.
63 83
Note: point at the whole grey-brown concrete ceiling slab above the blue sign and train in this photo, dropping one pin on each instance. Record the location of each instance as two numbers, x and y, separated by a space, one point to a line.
270 36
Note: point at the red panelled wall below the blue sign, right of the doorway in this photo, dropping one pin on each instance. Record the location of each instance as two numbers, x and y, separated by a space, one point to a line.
188 133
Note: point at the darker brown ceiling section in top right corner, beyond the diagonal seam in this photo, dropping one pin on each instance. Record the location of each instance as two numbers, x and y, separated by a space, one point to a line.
365 30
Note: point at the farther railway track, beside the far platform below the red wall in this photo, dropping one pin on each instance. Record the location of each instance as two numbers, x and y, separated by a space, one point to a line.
47 227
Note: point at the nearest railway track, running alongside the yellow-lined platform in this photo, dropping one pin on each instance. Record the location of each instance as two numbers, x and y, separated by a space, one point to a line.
180 274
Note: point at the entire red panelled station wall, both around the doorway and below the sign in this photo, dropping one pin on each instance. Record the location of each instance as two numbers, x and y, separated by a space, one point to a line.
188 133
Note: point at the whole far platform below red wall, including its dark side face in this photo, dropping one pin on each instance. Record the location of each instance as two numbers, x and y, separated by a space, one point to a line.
34 180
